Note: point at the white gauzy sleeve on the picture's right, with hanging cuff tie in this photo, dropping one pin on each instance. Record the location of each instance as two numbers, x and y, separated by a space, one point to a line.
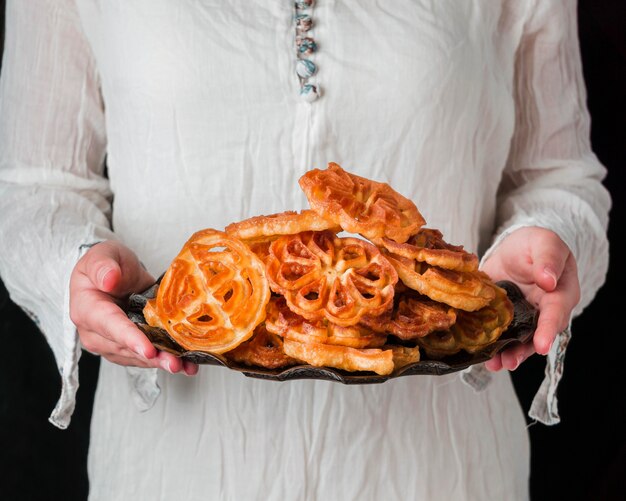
552 179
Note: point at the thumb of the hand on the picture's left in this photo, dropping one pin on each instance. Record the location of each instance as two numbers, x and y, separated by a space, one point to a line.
116 270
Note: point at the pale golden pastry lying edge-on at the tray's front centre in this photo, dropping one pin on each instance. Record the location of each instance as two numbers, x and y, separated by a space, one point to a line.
341 357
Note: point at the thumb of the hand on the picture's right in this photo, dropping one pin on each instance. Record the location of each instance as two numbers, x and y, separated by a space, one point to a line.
549 255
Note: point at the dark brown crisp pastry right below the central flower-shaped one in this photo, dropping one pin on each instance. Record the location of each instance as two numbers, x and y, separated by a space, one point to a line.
412 316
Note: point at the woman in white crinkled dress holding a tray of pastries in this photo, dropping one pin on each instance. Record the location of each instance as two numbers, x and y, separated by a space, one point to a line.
205 113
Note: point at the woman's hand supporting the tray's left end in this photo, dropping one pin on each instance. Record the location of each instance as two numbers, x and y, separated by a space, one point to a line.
104 276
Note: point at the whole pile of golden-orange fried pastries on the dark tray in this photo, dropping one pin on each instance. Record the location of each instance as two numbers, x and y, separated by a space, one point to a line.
287 289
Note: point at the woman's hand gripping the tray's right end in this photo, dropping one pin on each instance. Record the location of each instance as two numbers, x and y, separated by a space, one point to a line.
542 265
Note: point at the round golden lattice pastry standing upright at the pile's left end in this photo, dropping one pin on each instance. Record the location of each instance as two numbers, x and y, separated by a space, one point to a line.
213 294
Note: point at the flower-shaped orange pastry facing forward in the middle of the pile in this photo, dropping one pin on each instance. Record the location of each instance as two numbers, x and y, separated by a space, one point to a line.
324 276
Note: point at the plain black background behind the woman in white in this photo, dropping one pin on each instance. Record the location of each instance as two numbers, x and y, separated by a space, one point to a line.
583 457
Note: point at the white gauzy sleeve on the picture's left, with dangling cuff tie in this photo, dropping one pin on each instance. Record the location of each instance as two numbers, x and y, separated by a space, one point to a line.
53 195
